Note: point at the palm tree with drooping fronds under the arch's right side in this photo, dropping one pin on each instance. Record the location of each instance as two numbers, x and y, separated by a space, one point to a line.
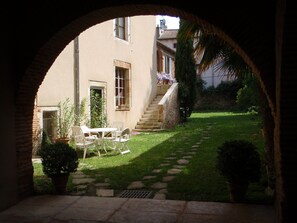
215 51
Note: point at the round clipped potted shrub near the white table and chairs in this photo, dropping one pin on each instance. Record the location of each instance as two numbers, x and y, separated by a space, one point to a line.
58 161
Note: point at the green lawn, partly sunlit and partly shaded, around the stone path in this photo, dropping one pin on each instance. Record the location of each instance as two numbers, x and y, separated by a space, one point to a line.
199 180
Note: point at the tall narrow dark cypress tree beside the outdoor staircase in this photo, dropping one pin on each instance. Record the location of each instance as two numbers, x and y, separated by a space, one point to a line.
185 74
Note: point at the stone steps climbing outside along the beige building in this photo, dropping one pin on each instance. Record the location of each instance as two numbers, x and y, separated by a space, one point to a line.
149 120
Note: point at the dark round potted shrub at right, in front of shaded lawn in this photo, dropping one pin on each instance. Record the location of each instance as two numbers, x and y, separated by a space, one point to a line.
239 162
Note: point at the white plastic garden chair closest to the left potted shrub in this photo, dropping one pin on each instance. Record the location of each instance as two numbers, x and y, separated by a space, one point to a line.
83 142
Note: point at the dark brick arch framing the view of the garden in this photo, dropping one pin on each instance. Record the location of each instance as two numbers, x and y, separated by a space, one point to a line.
53 43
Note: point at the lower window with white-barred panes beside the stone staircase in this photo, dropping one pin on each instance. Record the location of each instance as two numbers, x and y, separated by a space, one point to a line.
122 88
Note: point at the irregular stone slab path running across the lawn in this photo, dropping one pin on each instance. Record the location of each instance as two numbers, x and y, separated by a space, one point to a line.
169 167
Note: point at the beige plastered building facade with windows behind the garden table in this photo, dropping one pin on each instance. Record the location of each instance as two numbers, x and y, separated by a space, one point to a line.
117 59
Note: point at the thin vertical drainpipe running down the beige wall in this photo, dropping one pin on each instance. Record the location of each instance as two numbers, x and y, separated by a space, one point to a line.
76 77
